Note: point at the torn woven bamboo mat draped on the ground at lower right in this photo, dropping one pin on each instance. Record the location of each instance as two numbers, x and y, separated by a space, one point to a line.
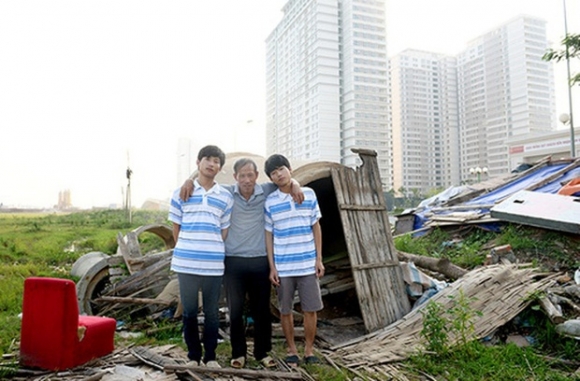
499 291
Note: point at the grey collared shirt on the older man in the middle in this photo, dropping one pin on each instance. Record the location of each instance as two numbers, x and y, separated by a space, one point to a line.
246 237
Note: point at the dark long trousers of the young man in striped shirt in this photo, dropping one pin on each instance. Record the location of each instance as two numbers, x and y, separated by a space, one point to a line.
210 286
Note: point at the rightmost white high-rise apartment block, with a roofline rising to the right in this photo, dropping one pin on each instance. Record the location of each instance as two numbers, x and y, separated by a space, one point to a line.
505 90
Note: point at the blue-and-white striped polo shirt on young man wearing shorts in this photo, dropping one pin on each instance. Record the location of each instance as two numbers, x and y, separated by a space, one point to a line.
291 227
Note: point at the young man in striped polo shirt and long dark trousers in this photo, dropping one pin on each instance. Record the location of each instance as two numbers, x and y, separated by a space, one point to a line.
200 226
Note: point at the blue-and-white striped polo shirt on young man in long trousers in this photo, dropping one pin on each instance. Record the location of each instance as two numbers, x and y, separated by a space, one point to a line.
199 248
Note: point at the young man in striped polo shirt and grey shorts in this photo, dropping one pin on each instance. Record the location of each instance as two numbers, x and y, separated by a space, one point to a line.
294 248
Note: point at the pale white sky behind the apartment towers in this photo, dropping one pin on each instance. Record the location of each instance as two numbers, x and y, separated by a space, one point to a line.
88 88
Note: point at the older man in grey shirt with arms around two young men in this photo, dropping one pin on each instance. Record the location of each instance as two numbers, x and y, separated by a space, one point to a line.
246 264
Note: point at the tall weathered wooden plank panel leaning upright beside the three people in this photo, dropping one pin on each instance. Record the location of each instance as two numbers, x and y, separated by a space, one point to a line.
380 289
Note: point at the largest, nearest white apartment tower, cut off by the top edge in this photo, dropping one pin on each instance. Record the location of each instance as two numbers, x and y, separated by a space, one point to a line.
327 82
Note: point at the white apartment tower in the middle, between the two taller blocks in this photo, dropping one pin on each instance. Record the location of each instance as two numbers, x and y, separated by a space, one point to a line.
425 121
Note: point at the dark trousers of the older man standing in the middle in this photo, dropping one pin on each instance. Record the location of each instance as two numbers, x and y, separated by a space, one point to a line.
249 276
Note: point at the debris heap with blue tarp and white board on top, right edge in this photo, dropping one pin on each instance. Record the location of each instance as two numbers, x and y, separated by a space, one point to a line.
518 197
